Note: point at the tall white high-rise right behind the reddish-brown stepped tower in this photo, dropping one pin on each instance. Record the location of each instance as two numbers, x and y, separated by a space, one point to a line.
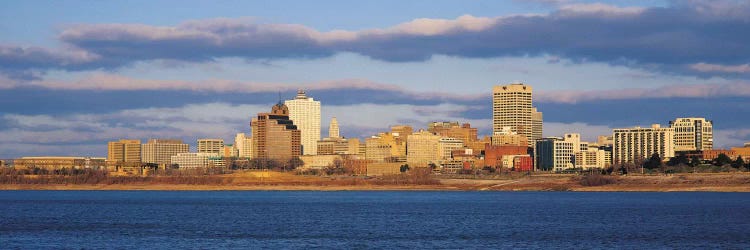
305 112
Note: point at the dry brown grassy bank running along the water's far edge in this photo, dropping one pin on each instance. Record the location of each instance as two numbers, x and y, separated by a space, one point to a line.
263 180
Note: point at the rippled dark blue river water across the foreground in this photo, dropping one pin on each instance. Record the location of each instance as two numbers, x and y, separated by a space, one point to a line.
372 219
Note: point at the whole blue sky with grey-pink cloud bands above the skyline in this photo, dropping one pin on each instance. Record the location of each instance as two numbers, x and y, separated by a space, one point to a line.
76 74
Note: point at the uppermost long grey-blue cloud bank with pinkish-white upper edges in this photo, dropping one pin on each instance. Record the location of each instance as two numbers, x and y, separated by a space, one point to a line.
683 38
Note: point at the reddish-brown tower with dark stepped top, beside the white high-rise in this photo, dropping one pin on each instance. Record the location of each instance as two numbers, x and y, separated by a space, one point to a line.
275 136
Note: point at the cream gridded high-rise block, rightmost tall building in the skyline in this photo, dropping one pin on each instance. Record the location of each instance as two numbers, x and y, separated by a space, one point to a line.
692 134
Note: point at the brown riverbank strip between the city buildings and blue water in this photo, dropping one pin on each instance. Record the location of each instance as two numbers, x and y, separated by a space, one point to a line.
700 182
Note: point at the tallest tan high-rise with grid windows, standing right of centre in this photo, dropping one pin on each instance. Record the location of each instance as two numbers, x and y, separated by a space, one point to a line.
511 107
